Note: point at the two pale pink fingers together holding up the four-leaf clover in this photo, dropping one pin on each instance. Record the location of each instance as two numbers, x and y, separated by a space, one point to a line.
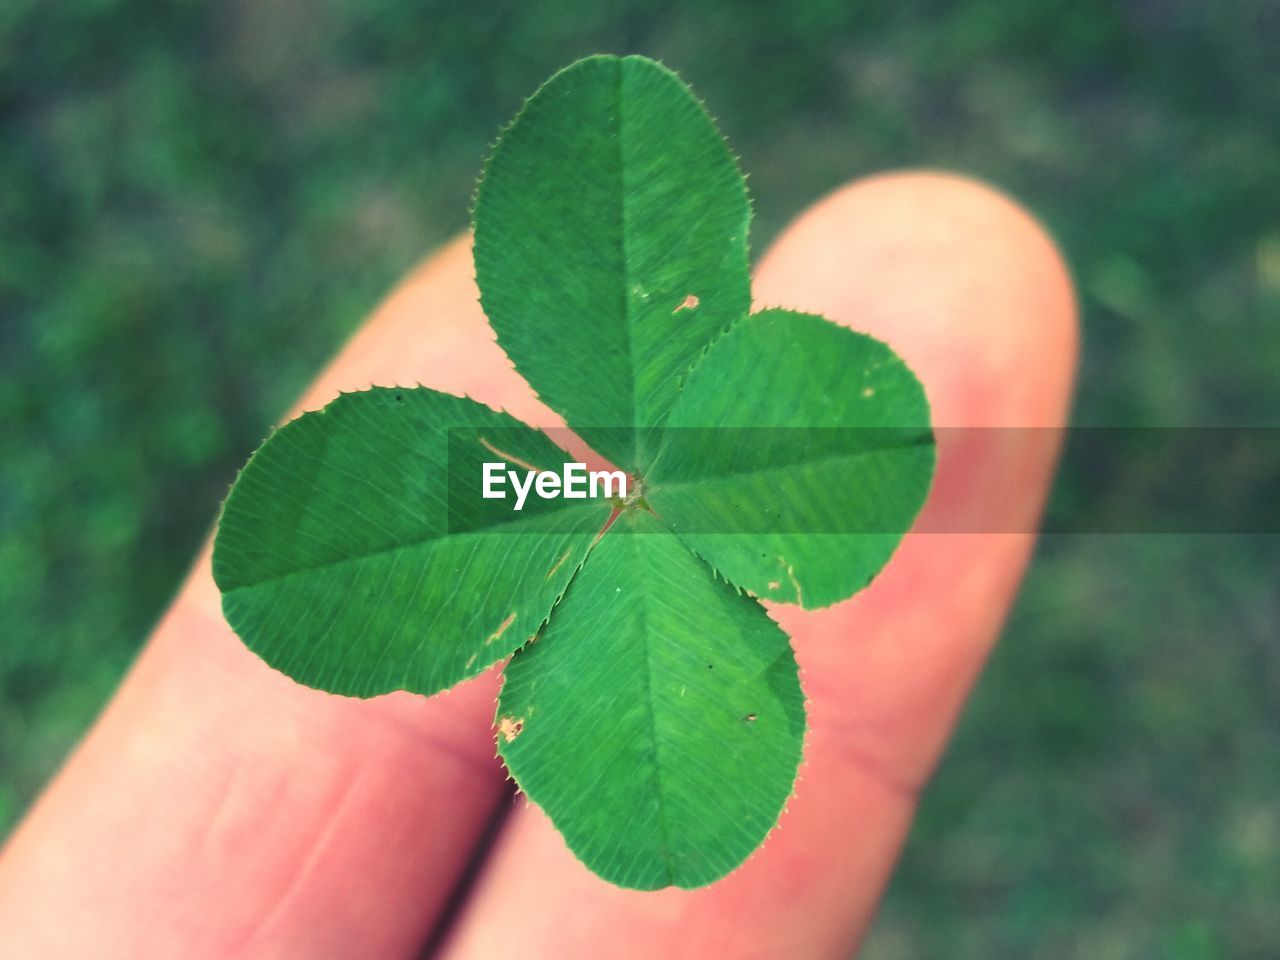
217 810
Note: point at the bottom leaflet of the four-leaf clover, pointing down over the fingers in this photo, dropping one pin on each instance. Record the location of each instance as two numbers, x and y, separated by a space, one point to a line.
659 719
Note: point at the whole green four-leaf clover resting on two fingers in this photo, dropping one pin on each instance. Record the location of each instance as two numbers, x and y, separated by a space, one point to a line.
657 714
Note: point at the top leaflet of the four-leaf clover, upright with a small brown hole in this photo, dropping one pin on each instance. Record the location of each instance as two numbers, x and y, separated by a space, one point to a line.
611 225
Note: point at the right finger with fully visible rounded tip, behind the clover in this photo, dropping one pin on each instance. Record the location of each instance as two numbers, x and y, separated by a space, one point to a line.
970 291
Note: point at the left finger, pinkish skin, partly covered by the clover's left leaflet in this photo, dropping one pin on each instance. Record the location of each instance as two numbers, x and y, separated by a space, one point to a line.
220 810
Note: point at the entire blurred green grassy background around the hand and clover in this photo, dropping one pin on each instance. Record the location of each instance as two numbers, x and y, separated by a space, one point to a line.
199 203
